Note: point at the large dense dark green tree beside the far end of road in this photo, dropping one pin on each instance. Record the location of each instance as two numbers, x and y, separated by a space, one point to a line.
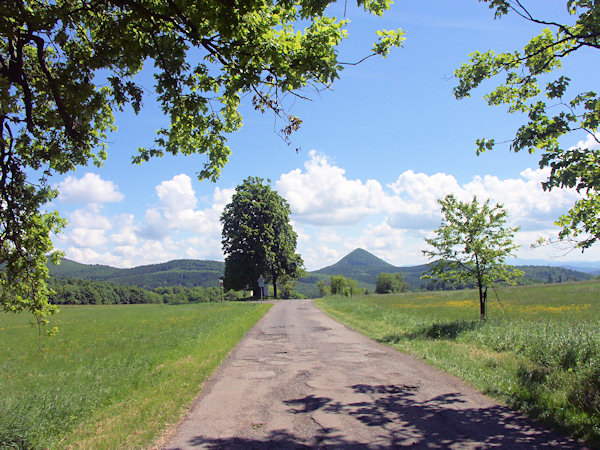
258 238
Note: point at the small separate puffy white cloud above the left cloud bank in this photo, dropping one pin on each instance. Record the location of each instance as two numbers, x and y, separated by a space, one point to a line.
88 189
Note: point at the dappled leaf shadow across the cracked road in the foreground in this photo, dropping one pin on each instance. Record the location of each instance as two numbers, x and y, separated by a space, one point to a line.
439 422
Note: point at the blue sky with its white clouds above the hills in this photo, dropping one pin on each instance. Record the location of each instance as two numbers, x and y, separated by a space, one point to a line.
375 152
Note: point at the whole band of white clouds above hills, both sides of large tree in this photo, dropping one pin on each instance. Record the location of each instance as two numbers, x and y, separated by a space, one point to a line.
331 214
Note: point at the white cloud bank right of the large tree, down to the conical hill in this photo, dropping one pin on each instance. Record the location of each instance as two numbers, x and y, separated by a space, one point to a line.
334 214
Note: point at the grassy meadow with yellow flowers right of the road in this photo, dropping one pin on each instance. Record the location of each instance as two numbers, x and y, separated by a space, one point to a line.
539 352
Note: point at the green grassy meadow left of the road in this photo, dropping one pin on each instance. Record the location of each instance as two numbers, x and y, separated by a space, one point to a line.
114 376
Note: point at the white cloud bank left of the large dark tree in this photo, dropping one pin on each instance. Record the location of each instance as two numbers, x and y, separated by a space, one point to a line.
124 240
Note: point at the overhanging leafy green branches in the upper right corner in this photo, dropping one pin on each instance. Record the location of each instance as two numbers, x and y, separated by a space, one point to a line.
551 114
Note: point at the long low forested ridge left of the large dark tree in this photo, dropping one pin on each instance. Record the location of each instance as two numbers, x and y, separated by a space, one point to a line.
182 272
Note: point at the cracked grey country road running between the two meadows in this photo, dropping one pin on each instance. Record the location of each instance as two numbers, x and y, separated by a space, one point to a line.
299 379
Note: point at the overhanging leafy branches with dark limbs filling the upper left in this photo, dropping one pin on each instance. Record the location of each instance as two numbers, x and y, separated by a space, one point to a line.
67 65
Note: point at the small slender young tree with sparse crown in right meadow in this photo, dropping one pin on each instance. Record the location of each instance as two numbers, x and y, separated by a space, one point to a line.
471 246
